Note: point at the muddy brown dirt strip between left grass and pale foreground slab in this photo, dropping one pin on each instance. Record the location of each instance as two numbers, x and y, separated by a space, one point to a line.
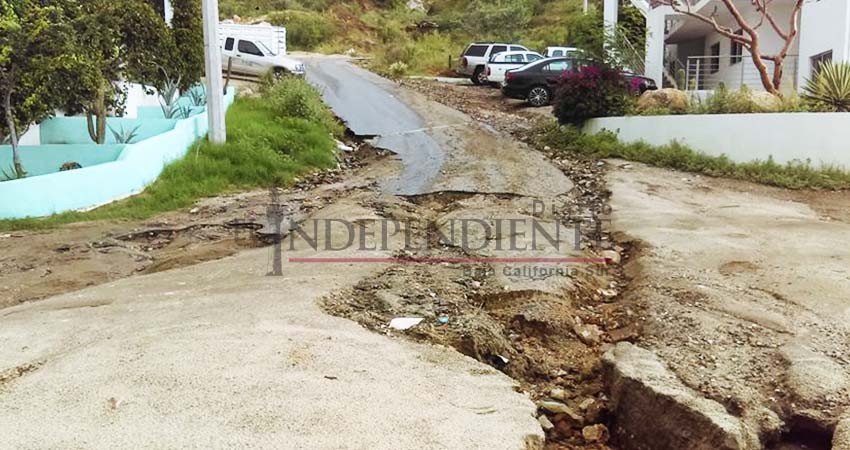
39 264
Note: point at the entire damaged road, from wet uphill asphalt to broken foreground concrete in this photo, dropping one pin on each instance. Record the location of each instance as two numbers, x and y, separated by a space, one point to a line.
633 308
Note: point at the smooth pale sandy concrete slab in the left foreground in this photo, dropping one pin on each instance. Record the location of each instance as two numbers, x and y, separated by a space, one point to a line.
220 356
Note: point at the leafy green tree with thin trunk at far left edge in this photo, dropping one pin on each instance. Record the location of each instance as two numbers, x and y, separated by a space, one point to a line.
41 67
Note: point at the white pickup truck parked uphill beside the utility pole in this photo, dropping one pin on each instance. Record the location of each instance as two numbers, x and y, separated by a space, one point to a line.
256 50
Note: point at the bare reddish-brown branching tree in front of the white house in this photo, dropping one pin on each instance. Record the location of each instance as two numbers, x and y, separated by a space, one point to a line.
749 36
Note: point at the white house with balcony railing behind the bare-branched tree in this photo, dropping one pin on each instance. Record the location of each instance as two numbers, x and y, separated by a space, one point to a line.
690 53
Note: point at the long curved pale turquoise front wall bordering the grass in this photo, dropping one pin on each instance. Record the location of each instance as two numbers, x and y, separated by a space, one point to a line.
137 166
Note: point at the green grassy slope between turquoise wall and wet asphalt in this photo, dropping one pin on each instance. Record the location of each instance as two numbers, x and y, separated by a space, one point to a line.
277 137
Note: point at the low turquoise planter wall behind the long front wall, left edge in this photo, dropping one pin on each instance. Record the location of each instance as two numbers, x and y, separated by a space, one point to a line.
46 159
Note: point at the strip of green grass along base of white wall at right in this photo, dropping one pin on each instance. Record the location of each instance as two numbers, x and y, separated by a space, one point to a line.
797 175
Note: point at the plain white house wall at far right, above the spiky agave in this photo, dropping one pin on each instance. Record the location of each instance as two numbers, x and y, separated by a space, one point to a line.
825 26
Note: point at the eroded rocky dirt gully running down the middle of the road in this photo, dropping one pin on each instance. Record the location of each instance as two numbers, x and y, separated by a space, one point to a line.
547 330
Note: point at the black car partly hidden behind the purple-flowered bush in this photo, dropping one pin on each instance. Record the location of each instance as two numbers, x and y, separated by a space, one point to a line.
535 82
